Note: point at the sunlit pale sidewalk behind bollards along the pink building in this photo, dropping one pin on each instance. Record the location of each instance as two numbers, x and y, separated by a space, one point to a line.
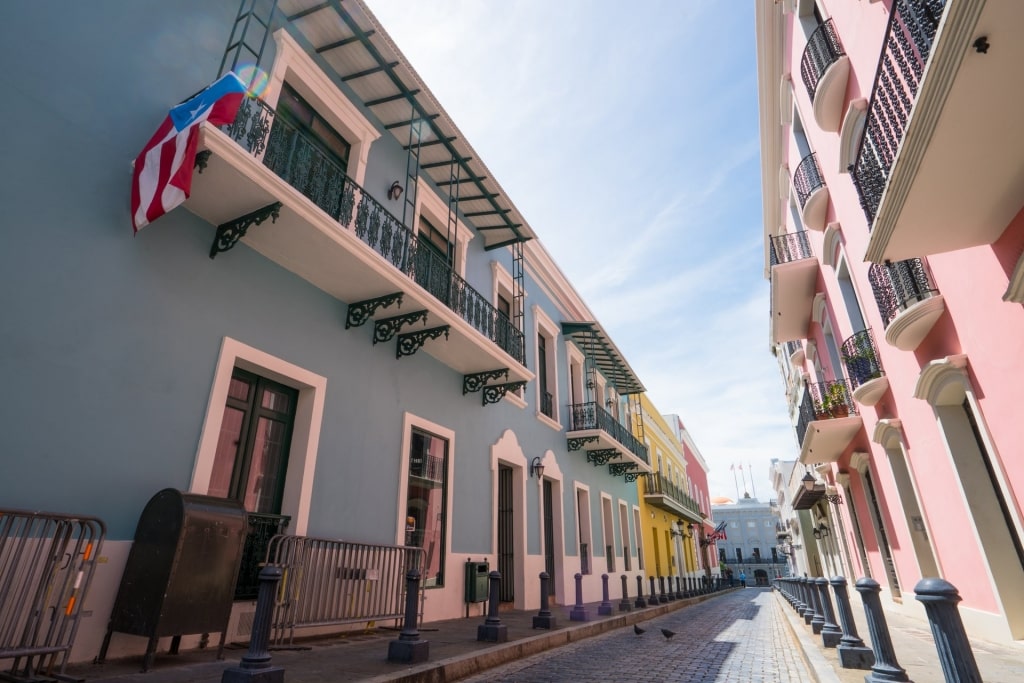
915 650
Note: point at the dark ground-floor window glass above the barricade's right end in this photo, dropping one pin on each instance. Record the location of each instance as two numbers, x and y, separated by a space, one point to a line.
426 502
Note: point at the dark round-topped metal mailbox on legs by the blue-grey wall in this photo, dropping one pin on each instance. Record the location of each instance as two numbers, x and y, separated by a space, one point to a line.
182 570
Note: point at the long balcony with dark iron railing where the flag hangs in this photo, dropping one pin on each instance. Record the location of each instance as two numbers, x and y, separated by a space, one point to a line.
333 234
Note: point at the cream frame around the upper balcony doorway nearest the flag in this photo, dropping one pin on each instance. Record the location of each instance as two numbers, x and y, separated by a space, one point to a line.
293 66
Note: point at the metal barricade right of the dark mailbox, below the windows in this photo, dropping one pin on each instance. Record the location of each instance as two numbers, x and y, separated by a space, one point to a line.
327 583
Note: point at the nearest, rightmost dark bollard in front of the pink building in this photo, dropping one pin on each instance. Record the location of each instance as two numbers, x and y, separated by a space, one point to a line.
941 599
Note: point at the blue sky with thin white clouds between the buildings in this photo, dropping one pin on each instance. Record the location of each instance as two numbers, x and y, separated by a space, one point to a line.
627 136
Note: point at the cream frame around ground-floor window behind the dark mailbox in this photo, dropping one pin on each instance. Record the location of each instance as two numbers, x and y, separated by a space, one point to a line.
306 434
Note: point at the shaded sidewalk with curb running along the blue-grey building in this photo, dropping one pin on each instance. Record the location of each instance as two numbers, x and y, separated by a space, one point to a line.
455 653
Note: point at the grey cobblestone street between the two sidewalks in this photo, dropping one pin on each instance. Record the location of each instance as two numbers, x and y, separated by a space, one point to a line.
741 637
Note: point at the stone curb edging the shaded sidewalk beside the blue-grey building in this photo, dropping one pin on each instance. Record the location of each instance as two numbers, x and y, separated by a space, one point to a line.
476 663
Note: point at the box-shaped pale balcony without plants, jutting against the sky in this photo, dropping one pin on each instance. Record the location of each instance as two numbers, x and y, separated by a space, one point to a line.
794 277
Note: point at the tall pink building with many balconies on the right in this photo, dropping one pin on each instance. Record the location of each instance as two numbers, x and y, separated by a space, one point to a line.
893 182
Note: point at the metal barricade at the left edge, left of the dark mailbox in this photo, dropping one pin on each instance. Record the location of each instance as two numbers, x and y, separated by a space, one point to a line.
47 566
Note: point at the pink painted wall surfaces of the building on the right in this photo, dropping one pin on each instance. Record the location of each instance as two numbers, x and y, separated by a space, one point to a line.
977 323
